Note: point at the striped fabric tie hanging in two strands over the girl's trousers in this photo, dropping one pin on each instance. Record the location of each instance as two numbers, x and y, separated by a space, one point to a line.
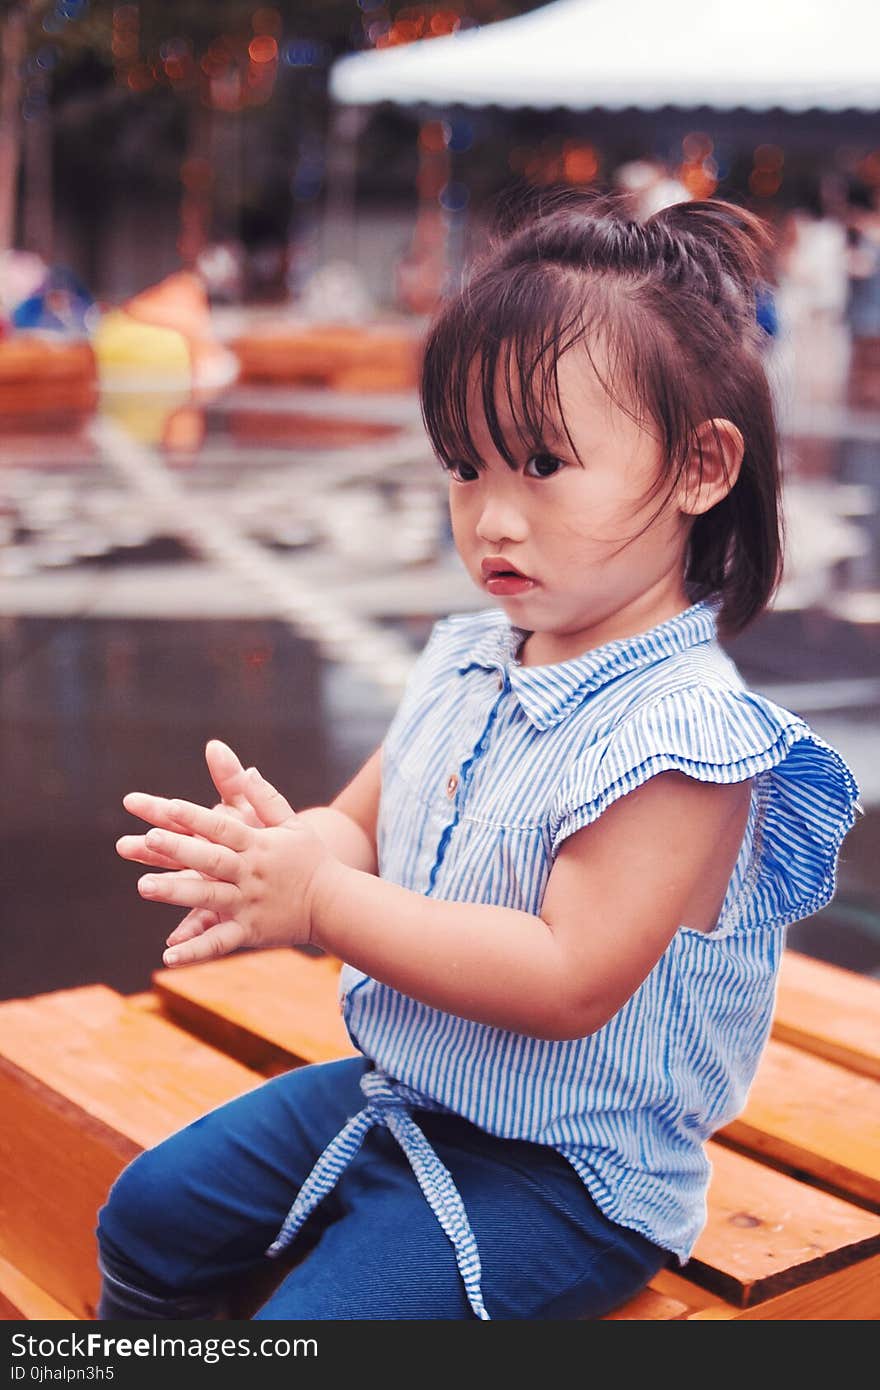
387 1107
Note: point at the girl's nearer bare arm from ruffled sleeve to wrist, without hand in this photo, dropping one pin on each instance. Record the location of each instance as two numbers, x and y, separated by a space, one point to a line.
657 860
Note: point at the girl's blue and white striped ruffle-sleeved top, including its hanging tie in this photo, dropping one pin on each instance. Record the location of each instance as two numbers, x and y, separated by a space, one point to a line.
487 768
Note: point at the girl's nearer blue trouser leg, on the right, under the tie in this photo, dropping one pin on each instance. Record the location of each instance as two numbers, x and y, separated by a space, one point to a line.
547 1250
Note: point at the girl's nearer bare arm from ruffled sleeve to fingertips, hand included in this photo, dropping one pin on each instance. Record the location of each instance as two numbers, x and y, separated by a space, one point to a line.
657 860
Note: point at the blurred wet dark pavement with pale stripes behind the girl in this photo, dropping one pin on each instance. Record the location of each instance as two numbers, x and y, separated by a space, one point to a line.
270 586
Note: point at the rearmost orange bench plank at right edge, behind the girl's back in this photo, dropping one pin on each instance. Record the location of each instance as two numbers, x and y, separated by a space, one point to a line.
829 1011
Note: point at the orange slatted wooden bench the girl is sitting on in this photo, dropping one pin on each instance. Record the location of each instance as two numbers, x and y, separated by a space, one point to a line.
90 1078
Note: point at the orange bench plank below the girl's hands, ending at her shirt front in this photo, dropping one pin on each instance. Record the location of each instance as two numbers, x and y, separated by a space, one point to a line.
272 1010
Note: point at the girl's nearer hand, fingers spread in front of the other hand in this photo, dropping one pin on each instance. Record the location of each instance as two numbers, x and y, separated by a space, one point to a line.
262 883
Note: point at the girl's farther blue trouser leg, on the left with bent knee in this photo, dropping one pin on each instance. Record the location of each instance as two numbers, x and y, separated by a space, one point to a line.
194 1214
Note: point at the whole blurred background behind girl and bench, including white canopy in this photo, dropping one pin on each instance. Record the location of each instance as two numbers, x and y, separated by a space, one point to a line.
223 230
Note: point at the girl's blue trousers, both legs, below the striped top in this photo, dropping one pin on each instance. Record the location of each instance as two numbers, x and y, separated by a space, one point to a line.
187 1224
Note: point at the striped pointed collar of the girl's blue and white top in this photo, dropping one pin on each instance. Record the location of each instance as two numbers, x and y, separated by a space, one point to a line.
550 693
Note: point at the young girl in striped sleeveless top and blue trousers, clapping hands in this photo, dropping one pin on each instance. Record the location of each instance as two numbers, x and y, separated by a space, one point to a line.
562 885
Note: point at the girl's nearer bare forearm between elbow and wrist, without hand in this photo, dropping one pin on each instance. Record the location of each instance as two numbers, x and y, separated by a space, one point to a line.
493 965
